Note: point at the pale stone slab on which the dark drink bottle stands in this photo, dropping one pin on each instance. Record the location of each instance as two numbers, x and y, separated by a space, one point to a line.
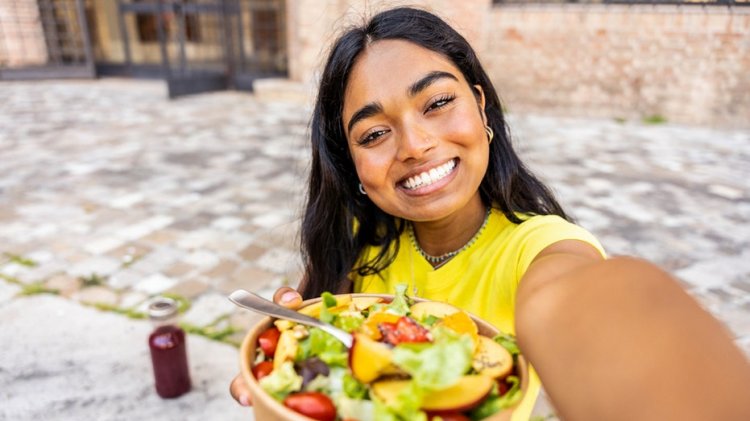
68 362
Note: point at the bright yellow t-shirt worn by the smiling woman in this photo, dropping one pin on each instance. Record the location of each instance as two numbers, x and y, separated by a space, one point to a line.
482 279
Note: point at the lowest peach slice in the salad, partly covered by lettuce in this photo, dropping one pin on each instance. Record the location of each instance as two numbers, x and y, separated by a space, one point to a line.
467 393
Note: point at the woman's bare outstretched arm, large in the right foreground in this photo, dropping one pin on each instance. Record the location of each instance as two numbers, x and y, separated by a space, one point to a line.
620 339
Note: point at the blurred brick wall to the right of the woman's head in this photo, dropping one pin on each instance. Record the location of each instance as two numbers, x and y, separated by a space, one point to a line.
687 64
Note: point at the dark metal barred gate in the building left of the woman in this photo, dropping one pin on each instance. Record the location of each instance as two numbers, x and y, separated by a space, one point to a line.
206 44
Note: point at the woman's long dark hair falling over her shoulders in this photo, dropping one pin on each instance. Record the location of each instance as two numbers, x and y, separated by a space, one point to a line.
339 222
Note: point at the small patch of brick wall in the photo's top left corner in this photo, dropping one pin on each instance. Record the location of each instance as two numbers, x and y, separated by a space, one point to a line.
21 34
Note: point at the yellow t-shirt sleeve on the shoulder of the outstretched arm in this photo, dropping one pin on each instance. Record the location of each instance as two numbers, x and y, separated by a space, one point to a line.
538 232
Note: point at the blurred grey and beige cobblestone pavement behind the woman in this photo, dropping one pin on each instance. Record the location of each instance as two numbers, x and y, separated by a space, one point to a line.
110 194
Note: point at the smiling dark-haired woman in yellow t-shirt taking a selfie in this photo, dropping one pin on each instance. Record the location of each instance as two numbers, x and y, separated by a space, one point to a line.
414 180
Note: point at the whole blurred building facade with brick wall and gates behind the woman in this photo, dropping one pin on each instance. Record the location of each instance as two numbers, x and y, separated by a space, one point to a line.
684 62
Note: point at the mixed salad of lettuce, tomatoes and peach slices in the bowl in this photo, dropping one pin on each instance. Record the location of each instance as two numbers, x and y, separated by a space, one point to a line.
409 361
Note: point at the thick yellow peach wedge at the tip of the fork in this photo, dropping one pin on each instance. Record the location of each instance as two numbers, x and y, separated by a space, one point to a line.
368 359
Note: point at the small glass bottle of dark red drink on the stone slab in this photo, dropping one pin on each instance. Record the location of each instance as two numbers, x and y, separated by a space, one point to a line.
168 350
